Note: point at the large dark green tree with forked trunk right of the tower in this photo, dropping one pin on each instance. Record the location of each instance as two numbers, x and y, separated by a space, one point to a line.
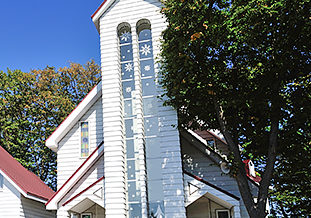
243 67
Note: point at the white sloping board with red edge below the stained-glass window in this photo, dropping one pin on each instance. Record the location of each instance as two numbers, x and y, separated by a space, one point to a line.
53 202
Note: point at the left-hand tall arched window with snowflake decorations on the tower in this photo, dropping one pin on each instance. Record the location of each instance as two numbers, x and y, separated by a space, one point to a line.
128 90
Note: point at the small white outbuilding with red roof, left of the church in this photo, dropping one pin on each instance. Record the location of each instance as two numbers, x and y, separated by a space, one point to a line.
22 193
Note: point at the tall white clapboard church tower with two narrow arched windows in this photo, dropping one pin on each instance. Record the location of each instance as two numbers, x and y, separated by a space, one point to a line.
142 157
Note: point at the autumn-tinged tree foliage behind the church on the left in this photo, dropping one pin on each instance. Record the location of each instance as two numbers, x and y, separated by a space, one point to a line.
33 104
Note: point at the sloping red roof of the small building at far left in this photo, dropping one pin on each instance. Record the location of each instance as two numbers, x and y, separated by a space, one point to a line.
24 179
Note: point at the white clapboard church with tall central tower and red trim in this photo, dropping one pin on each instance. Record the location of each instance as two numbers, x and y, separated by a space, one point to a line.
118 153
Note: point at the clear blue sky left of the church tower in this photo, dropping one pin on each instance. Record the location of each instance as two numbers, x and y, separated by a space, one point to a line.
37 33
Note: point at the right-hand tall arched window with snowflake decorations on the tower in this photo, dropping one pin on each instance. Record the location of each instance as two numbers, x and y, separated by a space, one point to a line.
151 123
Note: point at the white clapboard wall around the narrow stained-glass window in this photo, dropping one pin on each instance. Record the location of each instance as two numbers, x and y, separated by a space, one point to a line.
68 155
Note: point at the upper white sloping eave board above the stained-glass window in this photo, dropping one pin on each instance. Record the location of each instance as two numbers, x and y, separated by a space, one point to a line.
73 117
